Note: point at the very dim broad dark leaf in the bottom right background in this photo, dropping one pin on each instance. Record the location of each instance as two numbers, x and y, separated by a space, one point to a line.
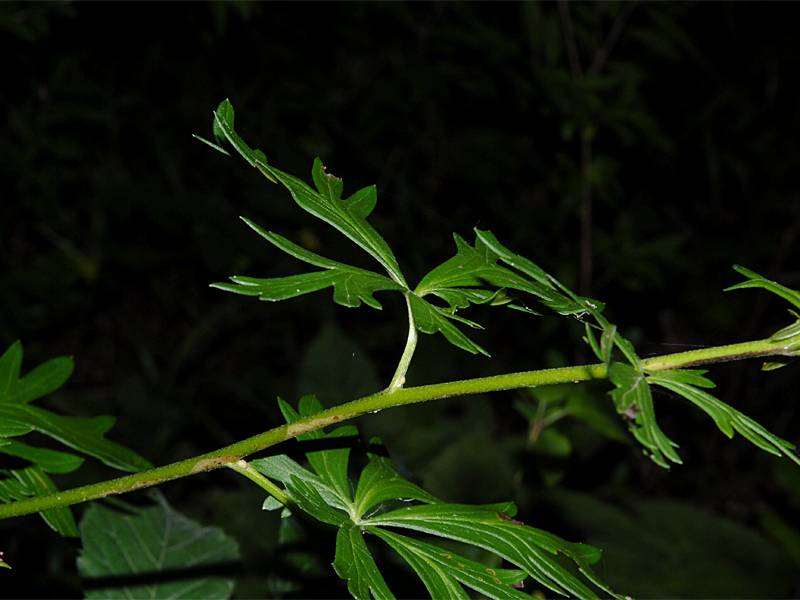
670 549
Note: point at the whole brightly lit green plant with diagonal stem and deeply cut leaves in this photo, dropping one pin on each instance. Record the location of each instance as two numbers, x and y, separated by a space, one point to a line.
377 502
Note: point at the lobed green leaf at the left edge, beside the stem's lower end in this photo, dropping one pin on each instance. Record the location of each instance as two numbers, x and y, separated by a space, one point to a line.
18 416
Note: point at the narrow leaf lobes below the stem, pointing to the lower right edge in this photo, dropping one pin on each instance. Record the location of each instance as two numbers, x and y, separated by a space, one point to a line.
686 383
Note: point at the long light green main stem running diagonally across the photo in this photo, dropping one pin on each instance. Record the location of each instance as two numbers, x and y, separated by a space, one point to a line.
391 397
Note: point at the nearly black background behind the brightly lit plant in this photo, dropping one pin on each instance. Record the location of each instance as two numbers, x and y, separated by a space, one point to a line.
677 122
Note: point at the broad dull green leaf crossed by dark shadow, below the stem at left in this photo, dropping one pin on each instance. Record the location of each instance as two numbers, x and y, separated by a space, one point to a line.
153 552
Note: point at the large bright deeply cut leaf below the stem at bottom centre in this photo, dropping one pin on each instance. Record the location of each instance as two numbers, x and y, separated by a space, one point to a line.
325 493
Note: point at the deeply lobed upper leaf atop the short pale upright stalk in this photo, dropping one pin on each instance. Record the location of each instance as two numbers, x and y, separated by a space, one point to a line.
472 276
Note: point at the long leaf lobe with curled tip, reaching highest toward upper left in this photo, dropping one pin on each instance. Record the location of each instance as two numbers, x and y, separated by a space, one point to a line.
349 215
